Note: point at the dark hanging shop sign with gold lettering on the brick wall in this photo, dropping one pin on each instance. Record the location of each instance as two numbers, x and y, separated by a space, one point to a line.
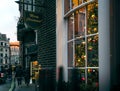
33 19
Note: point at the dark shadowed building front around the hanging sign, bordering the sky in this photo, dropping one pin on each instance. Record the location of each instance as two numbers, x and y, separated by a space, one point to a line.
26 35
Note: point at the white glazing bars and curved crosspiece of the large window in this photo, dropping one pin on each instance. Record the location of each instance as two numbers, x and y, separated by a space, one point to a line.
71 12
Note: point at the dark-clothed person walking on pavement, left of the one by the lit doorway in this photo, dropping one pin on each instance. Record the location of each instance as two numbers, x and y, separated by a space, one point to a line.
19 75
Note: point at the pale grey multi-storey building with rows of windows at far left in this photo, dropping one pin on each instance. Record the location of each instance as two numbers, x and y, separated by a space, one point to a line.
4 51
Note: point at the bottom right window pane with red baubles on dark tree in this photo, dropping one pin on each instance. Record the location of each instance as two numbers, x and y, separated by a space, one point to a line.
93 79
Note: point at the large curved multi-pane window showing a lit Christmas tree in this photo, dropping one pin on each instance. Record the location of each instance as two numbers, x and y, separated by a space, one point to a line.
83 41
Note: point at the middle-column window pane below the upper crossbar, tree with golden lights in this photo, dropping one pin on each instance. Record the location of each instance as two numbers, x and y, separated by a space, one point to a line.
80 53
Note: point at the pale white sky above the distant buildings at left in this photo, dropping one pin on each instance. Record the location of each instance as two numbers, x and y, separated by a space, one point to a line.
9 14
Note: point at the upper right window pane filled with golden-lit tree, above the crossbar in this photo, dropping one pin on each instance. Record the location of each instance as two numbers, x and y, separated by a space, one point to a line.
92 18
